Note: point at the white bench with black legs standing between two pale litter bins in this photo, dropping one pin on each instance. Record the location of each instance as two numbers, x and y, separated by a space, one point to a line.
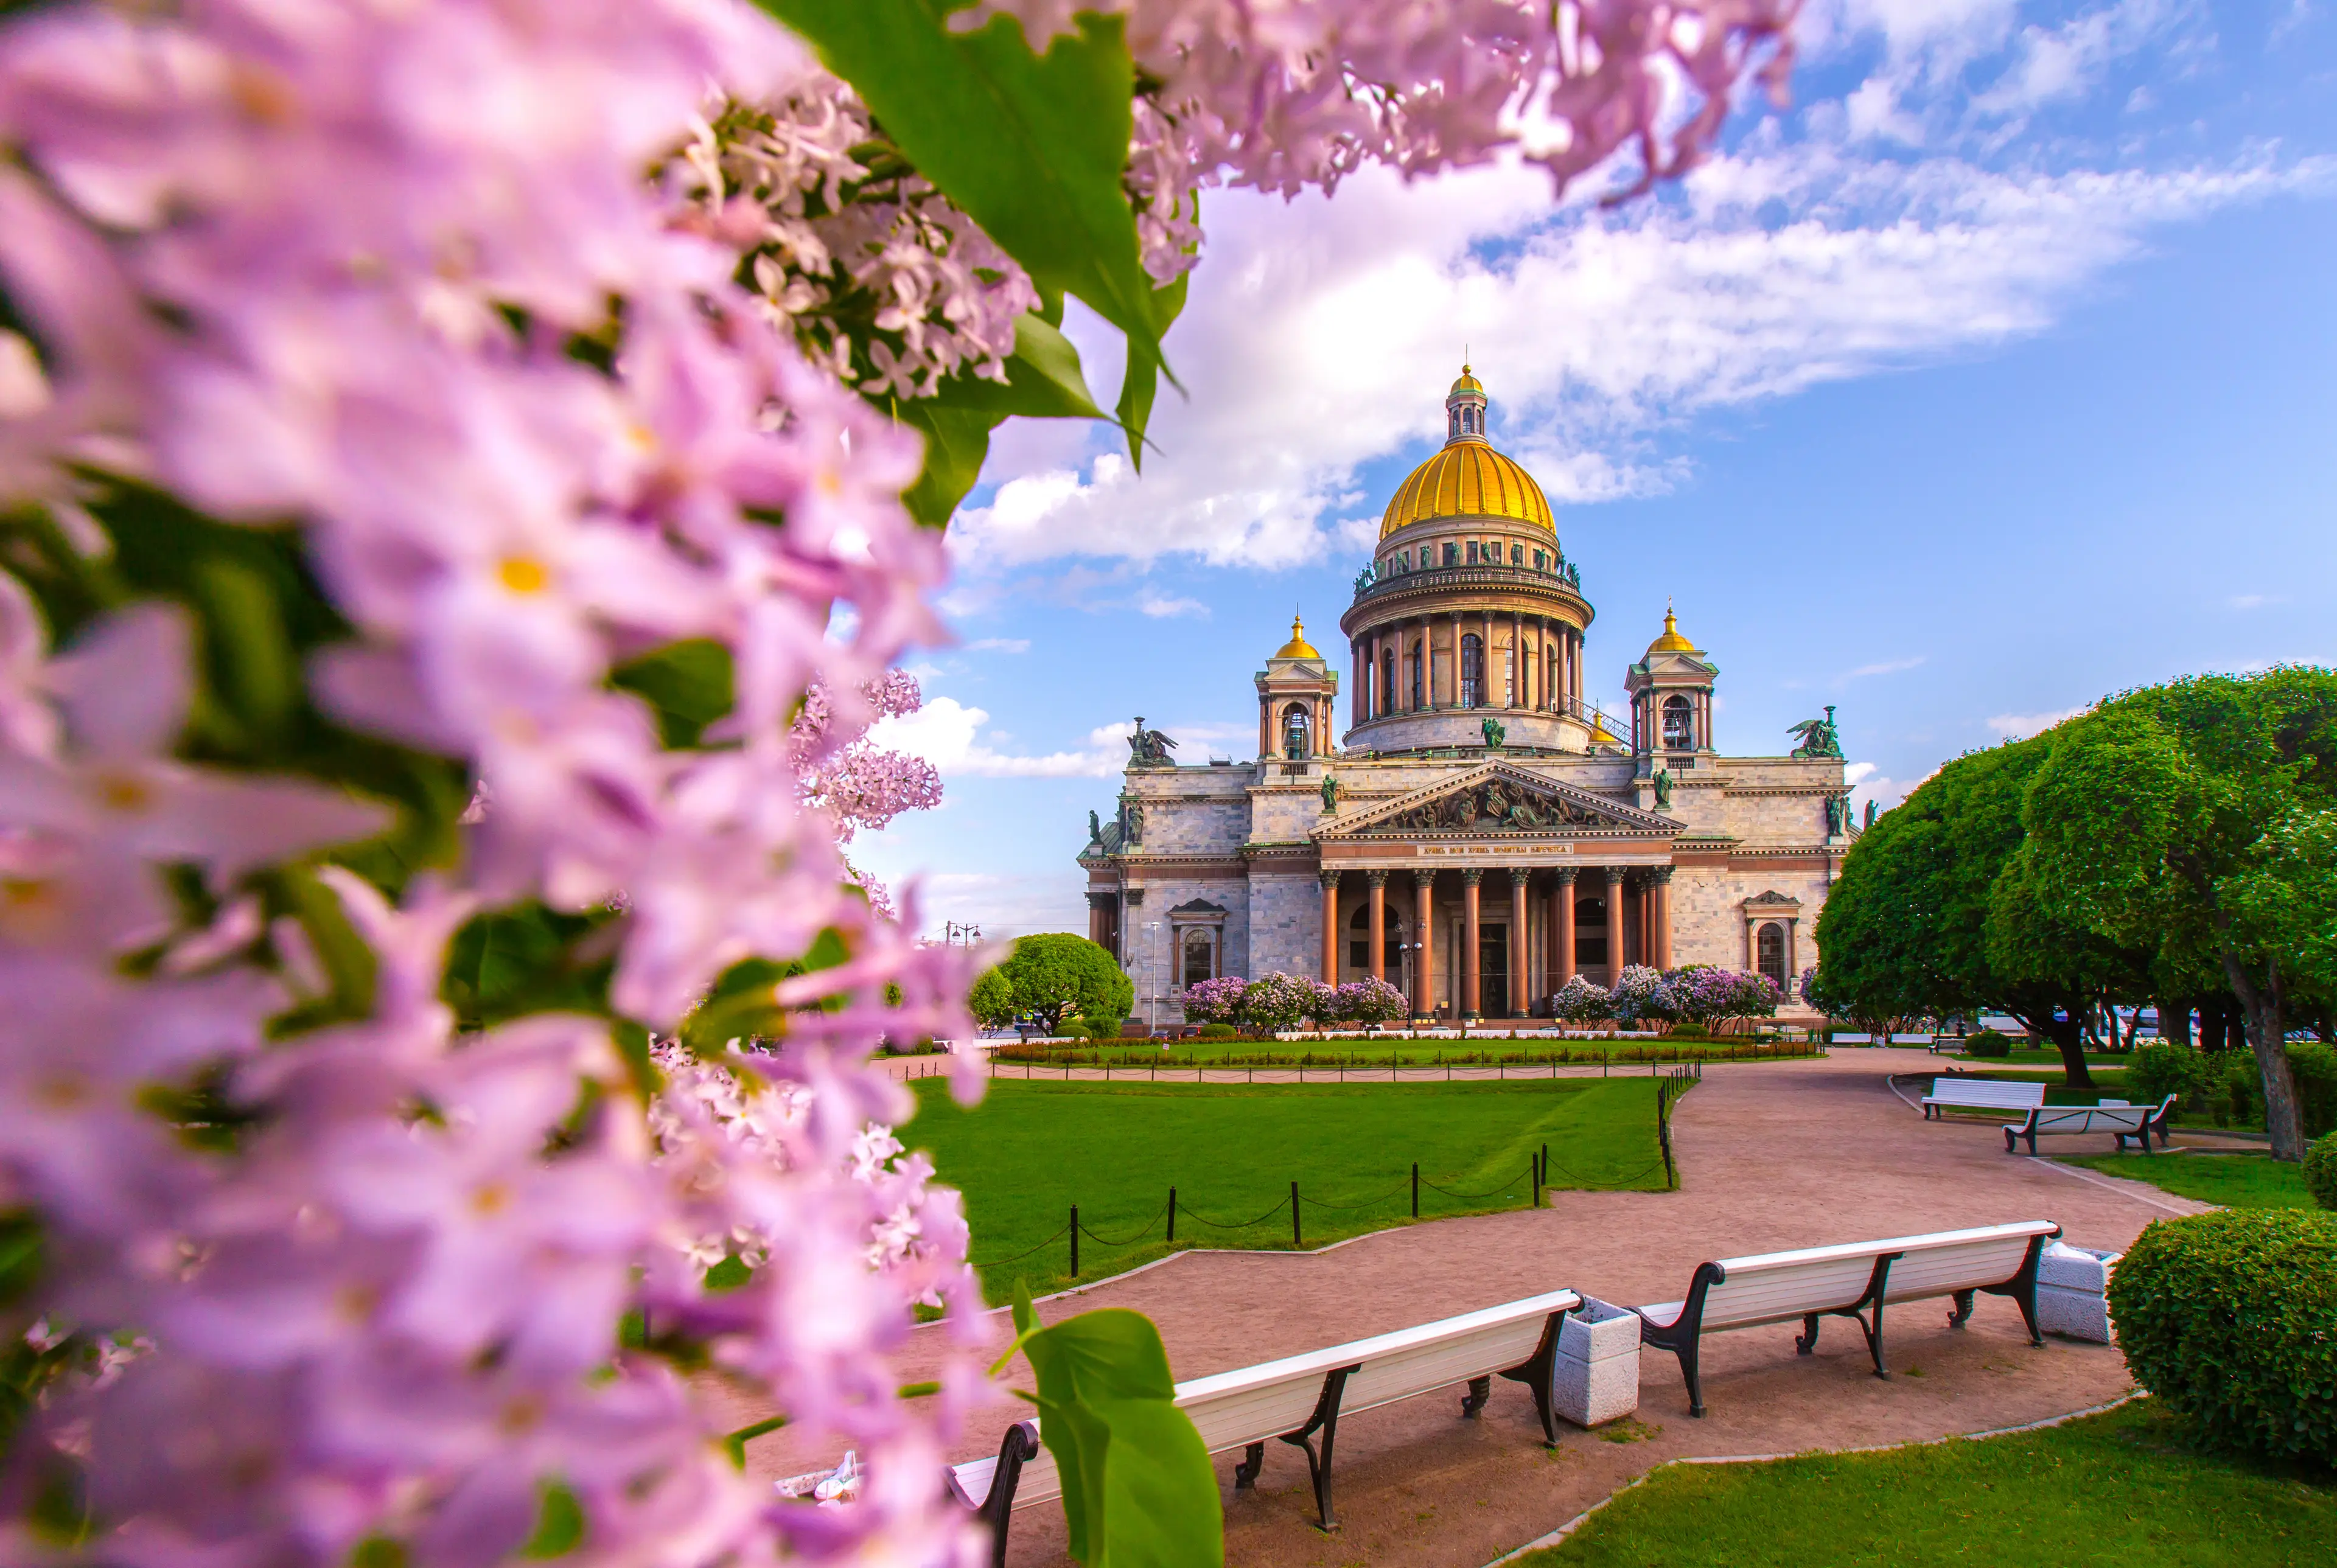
1850 1282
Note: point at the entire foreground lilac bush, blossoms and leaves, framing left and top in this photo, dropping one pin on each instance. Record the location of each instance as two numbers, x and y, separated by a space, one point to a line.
462 476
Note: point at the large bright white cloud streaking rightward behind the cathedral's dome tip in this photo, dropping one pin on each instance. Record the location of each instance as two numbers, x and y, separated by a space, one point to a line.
1322 333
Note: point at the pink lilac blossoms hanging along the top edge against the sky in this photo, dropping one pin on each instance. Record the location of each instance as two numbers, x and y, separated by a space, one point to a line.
1298 95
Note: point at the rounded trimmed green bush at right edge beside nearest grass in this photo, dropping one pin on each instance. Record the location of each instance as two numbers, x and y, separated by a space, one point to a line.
2228 1317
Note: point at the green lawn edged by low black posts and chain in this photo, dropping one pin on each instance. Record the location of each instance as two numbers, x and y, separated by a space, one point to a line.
1032 1151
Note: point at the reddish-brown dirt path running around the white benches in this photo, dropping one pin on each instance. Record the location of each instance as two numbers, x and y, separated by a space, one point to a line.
1773 1156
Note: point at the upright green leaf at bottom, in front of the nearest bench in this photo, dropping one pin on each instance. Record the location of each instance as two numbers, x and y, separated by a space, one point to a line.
1139 1490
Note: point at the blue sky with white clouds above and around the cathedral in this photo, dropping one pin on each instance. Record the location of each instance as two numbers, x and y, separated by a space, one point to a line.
1992 377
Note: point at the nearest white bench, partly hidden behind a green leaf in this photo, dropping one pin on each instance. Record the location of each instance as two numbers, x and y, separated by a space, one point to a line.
1301 1396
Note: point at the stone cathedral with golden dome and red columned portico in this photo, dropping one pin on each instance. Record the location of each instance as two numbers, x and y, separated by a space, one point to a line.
1445 810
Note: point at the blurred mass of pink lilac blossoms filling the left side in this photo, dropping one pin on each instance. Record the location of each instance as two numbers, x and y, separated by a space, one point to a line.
366 272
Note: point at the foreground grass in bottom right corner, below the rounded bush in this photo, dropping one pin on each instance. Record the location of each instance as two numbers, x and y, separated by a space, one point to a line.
2126 1487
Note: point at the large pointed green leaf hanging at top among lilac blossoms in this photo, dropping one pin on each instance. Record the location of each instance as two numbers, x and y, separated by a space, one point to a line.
1029 146
